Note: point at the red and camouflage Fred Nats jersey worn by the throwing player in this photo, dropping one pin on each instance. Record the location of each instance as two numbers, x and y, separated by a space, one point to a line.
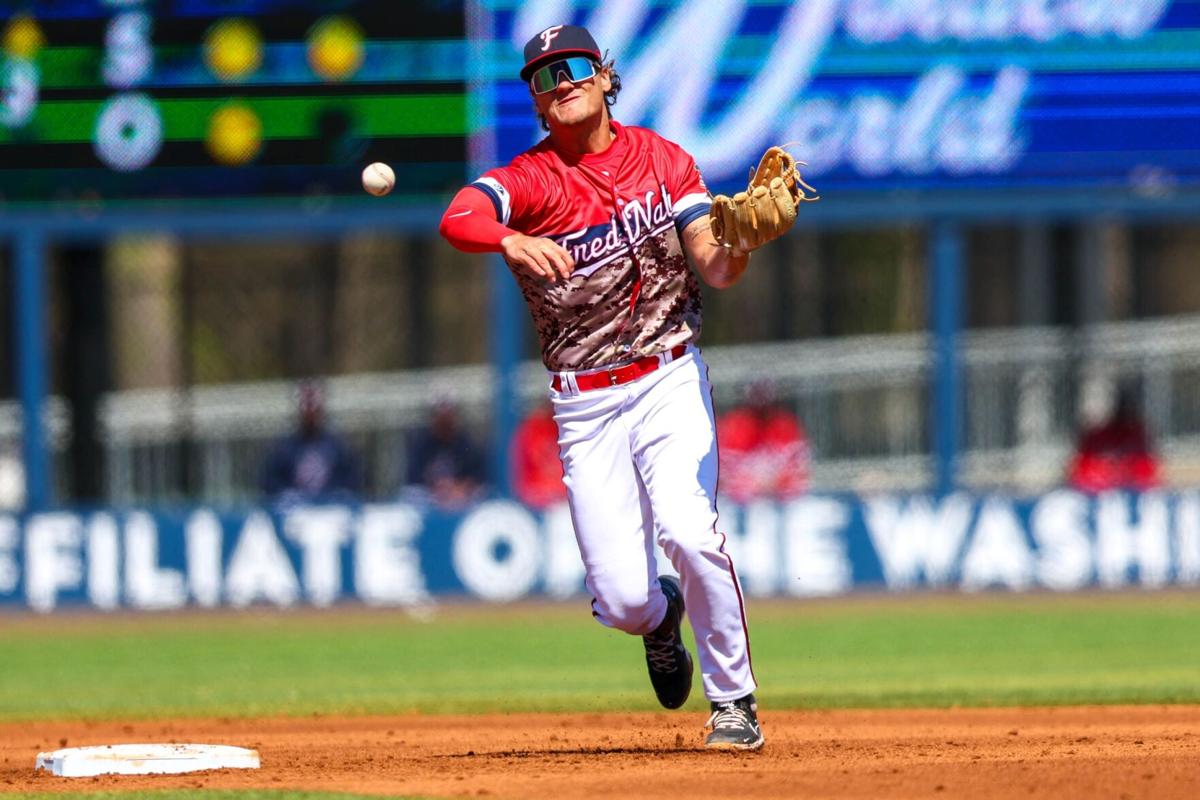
620 214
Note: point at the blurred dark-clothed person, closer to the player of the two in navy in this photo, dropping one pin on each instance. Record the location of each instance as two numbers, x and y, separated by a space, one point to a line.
446 466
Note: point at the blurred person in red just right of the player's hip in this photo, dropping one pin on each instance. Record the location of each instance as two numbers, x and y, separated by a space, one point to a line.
764 449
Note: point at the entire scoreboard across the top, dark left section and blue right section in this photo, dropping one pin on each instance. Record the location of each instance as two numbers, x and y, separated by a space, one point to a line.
208 101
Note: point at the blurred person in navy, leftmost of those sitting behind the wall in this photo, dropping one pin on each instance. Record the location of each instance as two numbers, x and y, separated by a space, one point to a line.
314 465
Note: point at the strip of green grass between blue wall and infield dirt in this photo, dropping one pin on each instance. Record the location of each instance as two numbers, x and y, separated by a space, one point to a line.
883 652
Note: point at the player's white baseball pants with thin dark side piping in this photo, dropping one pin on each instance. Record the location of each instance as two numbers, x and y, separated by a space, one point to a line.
640 466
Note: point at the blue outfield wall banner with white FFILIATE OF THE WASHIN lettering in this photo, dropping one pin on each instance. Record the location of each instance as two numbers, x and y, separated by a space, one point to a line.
400 555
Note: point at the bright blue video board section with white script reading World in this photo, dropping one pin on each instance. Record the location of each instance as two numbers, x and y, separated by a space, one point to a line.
896 95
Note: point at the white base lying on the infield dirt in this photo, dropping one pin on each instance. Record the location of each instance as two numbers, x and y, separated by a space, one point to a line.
145 760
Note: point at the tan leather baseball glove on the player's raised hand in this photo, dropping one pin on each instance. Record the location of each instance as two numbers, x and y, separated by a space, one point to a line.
767 209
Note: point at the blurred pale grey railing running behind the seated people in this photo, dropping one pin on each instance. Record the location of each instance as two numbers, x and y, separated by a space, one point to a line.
863 402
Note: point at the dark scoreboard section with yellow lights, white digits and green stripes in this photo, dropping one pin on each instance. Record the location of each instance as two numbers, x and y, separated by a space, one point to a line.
115 101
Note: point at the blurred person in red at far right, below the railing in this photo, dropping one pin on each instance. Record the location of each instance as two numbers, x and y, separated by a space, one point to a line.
1117 454
